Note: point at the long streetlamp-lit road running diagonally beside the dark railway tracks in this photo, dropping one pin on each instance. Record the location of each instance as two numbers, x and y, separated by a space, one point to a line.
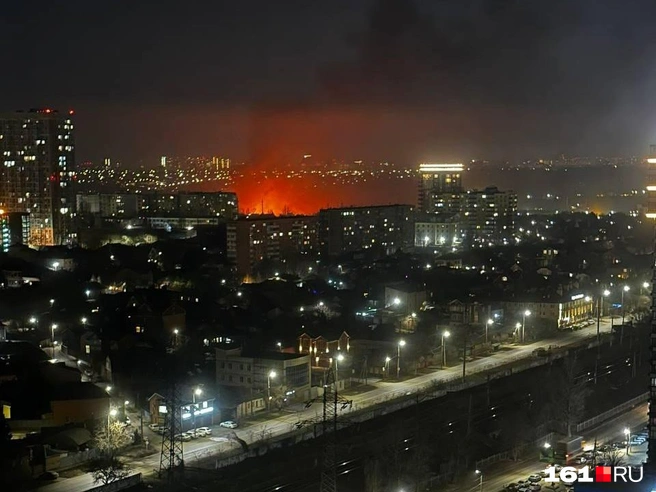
201 449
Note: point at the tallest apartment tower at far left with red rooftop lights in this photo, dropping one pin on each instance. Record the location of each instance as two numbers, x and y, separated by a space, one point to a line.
37 148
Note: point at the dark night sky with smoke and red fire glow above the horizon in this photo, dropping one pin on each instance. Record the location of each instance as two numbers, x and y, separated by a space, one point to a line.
402 80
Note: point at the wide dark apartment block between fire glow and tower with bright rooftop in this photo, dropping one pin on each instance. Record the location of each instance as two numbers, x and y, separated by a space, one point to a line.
384 227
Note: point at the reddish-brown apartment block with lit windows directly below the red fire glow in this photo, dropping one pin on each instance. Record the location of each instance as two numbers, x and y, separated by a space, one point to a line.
255 238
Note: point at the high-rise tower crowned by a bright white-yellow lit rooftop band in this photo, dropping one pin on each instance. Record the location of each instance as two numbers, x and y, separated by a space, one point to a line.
438 180
